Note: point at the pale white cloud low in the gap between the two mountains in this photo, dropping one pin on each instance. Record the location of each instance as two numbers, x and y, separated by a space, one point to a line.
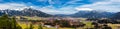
52 10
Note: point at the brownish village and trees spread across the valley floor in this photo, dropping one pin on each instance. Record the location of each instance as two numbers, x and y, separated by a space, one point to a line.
77 23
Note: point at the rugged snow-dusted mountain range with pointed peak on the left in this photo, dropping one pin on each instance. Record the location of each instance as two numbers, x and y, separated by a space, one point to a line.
24 12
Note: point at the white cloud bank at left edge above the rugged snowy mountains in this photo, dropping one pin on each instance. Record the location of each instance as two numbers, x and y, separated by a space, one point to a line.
12 6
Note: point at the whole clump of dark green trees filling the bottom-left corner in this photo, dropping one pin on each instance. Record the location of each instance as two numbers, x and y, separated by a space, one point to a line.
8 23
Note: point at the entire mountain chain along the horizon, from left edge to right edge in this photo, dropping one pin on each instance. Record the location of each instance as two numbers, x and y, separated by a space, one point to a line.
83 14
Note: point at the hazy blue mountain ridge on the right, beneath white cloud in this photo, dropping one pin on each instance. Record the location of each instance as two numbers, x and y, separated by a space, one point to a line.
89 14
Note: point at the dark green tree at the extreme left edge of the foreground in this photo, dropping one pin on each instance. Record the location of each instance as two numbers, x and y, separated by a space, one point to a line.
5 22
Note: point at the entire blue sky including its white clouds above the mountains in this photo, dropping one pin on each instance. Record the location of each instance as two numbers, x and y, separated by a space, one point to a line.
62 6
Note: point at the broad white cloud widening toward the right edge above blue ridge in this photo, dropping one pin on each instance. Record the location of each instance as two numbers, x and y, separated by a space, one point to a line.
110 6
